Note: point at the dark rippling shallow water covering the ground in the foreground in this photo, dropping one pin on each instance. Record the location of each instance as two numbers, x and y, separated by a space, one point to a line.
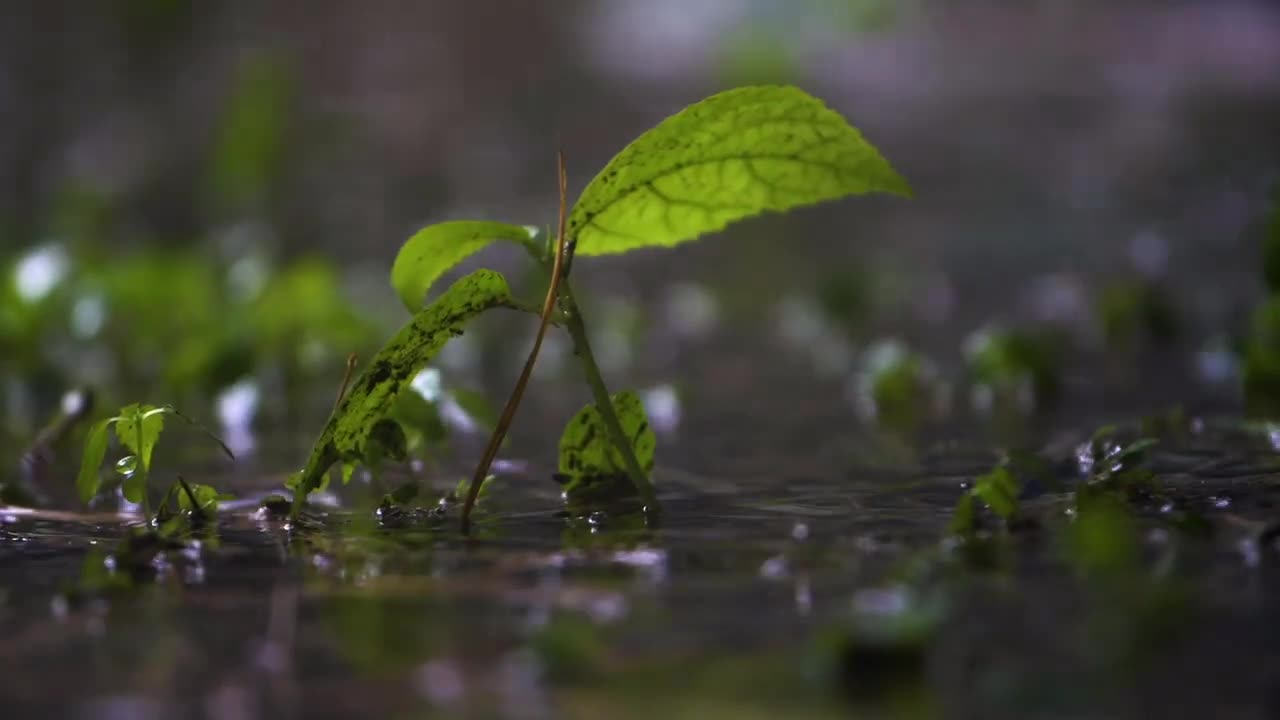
725 607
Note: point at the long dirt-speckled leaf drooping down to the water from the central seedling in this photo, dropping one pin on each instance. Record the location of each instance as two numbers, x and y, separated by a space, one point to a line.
373 395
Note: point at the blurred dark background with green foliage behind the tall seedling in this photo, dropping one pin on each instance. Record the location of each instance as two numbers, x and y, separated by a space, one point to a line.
204 198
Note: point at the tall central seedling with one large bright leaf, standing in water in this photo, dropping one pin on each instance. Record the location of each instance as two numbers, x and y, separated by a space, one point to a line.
730 157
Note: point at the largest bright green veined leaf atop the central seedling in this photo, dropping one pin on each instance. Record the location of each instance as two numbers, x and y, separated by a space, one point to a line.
734 156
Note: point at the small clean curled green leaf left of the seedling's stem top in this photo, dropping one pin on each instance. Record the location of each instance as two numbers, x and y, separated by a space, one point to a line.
435 249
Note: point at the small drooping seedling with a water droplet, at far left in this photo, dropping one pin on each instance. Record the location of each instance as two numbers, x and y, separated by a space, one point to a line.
139 429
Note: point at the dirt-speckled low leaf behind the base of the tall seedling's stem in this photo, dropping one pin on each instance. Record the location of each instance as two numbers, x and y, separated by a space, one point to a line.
586 448
